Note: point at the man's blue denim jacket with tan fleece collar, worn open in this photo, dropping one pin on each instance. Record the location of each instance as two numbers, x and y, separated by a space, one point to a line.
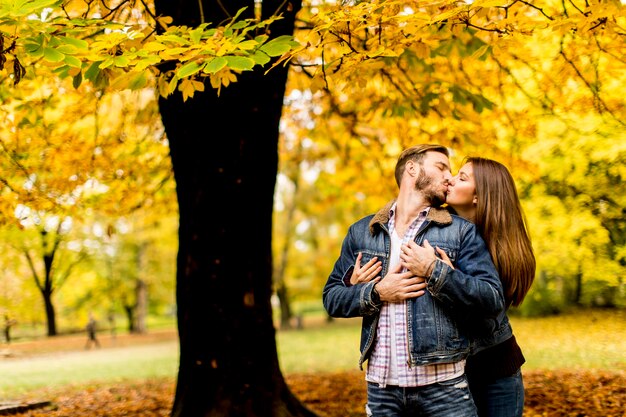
460 306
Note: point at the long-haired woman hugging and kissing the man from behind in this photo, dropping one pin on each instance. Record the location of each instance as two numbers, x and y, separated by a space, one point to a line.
484 192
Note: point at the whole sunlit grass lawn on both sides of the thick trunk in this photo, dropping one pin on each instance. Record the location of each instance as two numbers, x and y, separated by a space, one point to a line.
587 340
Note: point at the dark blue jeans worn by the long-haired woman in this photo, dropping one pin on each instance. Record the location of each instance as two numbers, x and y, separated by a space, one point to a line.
503 397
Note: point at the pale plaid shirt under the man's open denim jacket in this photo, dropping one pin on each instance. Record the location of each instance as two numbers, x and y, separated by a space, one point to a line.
389 362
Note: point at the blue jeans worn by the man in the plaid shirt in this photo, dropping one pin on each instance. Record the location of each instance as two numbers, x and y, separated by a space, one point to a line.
444 399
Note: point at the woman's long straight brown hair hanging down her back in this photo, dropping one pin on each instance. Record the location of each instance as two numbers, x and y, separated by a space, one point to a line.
501 222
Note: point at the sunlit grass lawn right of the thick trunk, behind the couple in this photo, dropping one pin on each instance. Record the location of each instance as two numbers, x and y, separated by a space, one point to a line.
588 339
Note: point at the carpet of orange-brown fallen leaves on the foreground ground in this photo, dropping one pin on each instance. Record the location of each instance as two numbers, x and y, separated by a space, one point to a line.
548 394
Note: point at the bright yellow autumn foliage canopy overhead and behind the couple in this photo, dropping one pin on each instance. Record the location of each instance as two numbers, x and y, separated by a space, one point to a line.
534 84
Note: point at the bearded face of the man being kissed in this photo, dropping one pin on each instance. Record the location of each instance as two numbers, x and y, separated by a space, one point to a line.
434 177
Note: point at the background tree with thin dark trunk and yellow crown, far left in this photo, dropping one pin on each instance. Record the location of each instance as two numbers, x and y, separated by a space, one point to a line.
64 155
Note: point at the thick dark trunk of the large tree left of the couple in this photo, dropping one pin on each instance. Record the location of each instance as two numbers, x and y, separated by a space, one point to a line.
228 359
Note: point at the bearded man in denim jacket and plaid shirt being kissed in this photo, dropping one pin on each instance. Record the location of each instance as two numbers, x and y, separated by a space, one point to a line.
411 337
